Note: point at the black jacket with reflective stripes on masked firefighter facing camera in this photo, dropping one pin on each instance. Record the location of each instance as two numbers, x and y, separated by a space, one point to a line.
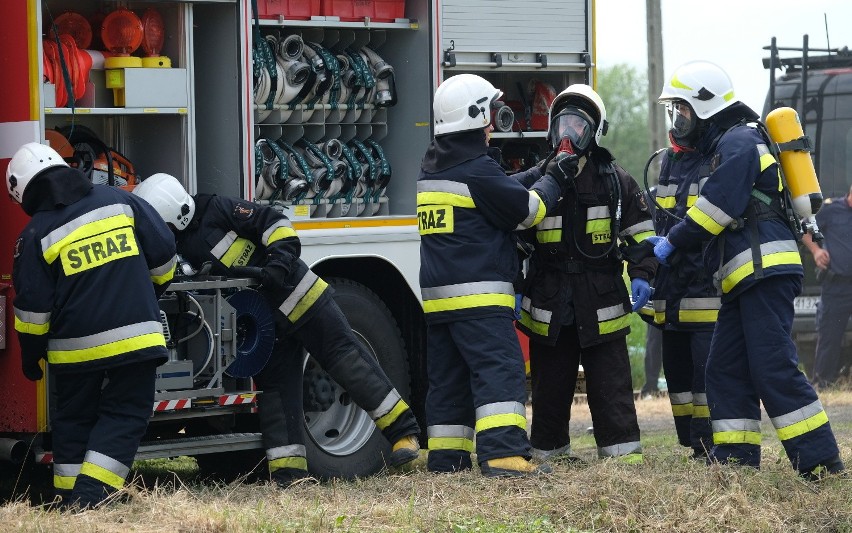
575 273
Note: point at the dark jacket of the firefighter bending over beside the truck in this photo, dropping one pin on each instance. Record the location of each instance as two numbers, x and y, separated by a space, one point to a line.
231 233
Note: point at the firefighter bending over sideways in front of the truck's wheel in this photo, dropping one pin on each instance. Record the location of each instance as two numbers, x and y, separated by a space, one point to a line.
232 234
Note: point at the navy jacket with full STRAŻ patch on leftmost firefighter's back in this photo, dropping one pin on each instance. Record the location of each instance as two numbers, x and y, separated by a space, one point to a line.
87 271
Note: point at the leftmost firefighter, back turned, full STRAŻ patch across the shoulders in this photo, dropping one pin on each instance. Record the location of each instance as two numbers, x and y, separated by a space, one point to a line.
88 269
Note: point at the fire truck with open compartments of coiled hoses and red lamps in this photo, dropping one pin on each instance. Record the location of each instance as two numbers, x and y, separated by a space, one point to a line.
321 108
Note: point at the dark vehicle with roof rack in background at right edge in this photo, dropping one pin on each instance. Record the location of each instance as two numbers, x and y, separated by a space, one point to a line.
819 88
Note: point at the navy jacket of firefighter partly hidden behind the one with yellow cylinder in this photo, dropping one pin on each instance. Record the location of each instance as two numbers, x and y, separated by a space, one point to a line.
685 297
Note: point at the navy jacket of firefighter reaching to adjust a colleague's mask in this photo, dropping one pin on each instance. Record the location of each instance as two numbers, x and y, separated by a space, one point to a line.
468 209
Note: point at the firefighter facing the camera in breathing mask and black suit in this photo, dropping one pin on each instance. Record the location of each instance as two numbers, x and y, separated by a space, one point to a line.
575 304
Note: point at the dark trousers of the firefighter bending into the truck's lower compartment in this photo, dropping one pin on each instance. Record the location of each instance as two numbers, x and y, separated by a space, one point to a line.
328 338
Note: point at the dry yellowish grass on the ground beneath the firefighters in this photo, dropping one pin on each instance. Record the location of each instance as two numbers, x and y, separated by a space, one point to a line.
667 493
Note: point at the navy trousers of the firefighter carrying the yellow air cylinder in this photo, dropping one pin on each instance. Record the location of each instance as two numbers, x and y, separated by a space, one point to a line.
753 360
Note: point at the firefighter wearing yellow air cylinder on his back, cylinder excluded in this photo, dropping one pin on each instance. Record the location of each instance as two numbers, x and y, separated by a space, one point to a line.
755 262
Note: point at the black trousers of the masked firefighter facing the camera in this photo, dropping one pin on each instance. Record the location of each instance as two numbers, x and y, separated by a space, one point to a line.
609 390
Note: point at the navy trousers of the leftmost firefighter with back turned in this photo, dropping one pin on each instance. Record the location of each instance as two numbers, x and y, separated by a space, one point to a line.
100 419
